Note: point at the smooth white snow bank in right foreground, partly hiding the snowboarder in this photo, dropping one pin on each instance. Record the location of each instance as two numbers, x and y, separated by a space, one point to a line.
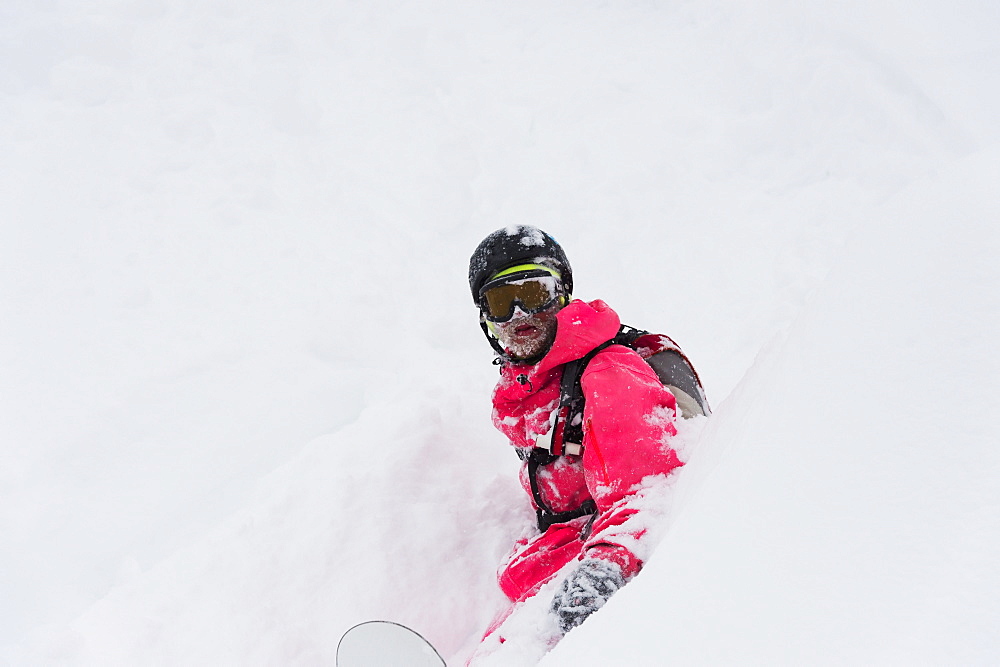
849 514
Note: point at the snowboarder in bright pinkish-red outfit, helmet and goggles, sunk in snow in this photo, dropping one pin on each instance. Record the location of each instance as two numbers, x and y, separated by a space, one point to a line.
585 492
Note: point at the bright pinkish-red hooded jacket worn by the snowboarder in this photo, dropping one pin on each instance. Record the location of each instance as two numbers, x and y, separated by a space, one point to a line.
628 421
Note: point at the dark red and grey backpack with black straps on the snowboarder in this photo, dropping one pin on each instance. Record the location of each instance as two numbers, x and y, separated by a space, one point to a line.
565 436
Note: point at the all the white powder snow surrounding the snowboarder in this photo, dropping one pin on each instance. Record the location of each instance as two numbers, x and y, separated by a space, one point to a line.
246 398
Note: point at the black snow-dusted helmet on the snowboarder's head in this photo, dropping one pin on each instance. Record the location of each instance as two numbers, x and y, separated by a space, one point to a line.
513 245
